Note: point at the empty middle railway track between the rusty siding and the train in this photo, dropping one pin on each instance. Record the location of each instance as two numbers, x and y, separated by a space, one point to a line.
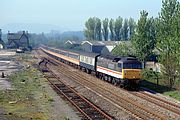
137 110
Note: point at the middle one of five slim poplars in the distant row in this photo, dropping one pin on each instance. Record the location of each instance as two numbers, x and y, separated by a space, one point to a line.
117 29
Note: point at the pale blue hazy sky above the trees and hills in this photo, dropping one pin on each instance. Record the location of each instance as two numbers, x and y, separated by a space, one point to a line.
68 14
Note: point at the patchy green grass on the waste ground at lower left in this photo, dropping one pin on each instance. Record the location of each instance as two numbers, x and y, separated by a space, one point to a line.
20 102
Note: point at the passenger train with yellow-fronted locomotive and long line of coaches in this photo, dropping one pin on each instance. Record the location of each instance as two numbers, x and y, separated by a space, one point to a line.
120 71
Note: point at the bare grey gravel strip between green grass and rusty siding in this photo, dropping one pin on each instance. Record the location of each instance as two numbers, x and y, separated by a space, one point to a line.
58 109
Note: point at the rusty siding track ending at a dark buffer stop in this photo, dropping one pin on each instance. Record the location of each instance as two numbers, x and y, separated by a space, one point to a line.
85 107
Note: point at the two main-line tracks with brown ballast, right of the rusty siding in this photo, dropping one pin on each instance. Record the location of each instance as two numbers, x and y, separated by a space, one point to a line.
127 104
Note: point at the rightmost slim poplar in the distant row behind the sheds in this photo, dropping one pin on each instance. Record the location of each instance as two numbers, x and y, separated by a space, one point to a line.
132 25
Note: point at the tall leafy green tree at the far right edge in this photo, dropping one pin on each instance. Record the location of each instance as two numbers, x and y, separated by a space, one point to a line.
168 36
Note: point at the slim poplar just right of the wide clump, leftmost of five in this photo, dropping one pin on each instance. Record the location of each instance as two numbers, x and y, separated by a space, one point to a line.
105 29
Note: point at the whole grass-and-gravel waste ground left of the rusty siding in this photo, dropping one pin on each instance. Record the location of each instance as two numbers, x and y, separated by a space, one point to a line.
29 102
